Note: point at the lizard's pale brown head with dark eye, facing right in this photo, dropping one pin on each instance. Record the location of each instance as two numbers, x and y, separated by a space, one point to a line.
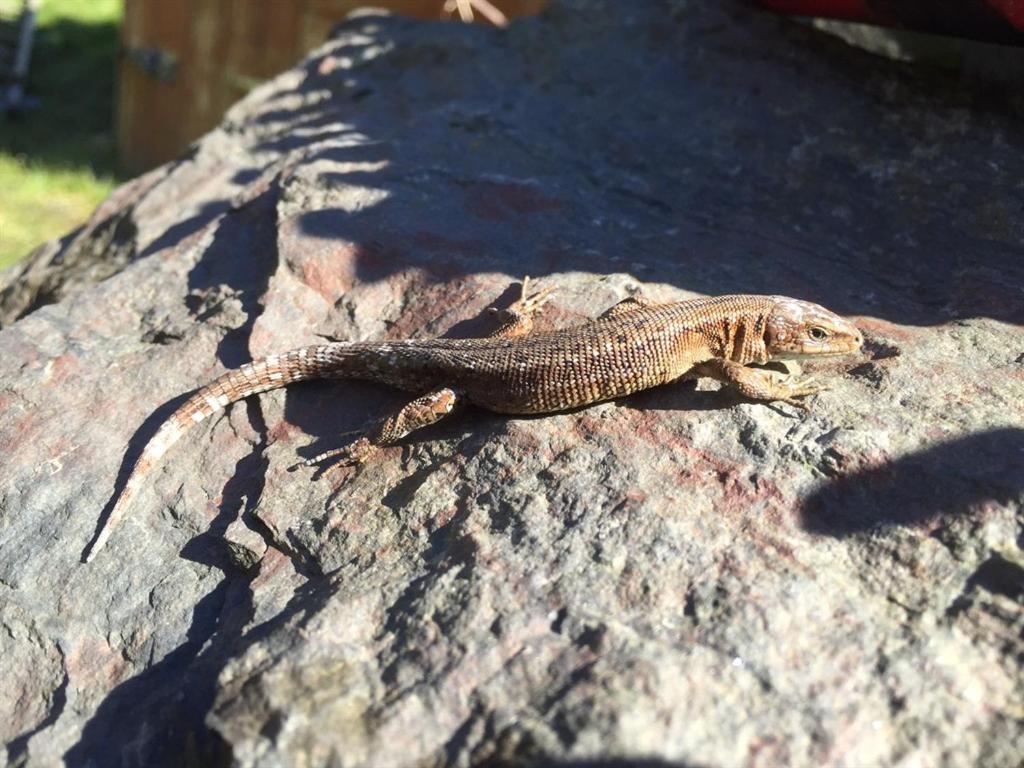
799 329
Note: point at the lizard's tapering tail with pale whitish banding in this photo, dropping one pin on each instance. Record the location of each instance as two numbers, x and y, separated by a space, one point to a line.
261 376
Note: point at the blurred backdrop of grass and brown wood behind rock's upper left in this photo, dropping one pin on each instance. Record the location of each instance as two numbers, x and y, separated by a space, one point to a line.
116 88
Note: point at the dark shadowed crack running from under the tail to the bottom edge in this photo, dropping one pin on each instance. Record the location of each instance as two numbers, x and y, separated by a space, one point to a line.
159 716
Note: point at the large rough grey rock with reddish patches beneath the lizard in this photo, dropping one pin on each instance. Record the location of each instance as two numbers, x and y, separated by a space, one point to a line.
680 577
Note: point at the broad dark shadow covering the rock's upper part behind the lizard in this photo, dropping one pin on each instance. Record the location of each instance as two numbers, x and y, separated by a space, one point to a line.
852 244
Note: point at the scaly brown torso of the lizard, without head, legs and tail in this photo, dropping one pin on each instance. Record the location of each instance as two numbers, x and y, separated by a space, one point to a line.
554 370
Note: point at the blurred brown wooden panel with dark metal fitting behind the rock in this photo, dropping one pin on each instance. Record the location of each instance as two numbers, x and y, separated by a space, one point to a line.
185 63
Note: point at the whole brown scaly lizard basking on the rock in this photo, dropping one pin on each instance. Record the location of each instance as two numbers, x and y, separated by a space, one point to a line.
635 346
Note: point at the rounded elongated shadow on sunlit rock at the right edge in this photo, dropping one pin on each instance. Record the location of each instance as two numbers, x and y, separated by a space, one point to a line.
950 480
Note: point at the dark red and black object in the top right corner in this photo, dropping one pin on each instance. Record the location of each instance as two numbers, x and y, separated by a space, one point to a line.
992 21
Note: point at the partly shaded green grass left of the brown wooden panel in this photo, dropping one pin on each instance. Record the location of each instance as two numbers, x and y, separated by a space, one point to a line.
58 162
